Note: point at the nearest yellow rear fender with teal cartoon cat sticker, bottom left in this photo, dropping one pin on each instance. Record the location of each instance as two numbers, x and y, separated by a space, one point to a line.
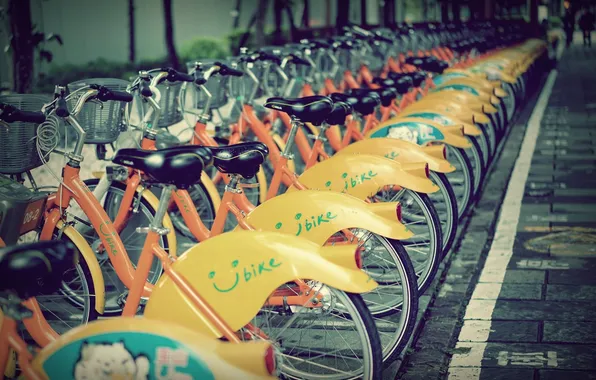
205 357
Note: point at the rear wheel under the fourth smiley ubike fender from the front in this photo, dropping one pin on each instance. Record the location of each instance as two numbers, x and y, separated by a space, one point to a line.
445 203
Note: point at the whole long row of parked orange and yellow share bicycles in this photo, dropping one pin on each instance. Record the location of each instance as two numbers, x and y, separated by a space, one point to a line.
324 182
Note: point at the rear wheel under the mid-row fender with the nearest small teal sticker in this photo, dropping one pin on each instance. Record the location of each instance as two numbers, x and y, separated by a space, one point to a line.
462 179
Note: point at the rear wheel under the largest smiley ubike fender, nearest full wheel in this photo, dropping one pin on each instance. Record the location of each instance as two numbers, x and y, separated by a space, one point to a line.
337 340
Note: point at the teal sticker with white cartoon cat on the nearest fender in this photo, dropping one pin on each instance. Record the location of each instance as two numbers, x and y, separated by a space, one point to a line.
126 355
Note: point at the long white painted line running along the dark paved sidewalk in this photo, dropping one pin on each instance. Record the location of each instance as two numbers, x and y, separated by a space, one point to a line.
483 303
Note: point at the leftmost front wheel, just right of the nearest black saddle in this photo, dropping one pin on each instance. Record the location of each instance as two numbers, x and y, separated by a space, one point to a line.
74 303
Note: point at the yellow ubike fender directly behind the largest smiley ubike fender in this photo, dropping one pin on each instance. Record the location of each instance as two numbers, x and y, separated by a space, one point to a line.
318 215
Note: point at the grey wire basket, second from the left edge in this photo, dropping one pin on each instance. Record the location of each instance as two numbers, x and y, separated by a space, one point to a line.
101 121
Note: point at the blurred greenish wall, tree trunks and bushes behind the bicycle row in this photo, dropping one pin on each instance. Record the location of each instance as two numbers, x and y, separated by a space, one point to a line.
47 42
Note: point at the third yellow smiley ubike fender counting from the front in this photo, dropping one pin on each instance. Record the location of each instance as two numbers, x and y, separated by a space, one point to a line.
364 175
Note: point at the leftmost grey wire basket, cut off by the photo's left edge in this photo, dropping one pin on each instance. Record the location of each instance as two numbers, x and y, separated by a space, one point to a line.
18 148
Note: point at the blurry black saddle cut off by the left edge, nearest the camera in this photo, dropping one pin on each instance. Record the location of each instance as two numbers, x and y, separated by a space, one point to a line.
36 268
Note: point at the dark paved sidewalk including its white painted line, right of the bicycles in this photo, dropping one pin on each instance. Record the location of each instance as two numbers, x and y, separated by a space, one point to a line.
536 317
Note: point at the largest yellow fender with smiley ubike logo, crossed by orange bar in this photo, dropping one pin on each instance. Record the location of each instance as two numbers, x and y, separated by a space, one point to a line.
248 267
